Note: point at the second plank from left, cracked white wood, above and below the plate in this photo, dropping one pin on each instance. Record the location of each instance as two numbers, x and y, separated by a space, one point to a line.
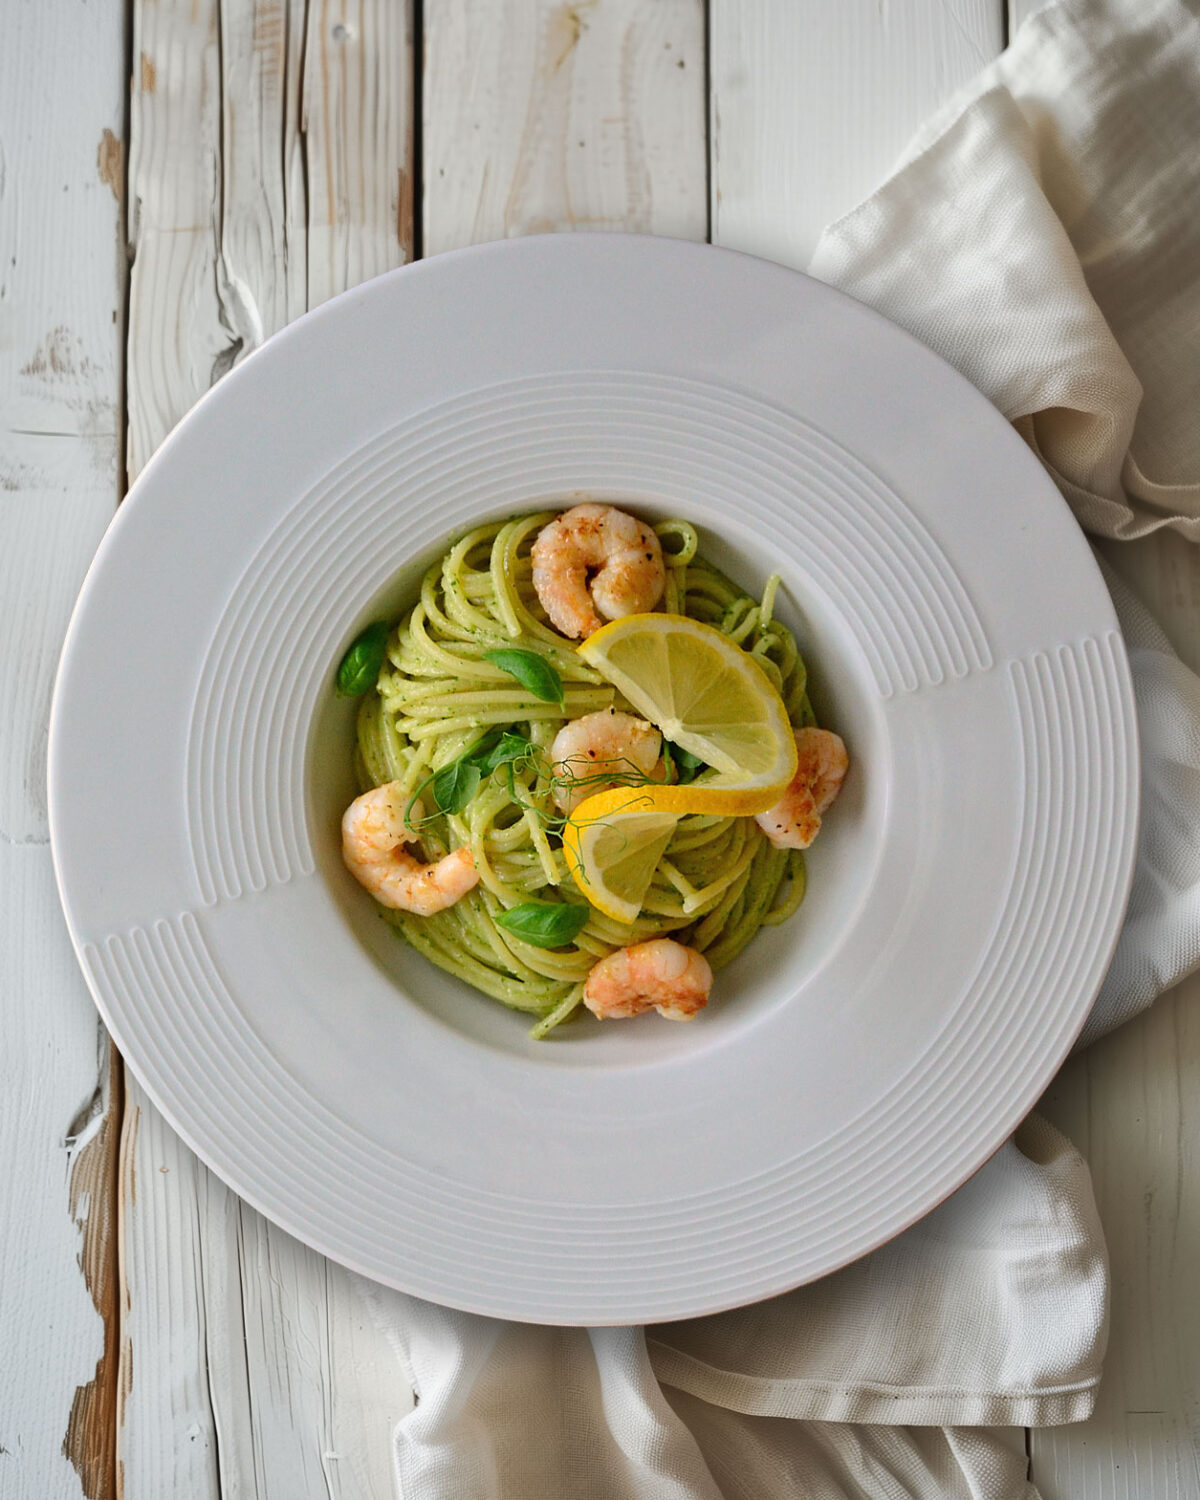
271 160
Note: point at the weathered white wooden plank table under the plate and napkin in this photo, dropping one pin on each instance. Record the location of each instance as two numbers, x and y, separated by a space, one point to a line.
178 181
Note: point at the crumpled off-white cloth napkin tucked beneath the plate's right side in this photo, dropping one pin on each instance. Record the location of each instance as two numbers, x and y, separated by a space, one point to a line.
1042 235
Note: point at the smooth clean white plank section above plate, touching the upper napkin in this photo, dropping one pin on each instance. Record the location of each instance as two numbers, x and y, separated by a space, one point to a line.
814 103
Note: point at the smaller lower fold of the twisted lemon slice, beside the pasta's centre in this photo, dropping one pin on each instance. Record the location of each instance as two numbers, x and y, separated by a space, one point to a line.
614 844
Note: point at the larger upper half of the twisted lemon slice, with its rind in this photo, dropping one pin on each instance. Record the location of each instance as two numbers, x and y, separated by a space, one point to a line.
707 695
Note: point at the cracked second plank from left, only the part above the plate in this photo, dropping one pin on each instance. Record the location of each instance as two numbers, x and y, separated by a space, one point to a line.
269 169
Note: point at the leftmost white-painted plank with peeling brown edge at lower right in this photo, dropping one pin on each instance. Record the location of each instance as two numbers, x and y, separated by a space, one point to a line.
62 275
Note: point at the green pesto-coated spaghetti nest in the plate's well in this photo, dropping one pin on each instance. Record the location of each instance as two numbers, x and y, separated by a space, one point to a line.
437 695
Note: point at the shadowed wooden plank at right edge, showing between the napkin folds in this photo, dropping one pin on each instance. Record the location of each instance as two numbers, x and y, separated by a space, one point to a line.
1133 1106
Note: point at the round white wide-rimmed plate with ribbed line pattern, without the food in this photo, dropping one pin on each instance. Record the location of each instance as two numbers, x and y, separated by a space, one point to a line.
859 1063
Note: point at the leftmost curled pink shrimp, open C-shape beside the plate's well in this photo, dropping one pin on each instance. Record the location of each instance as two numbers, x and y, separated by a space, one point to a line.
374 835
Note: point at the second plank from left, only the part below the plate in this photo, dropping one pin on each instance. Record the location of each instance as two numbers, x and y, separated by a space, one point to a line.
256 1369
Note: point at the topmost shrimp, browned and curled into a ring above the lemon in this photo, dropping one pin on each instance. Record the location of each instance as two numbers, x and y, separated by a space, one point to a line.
614 550
